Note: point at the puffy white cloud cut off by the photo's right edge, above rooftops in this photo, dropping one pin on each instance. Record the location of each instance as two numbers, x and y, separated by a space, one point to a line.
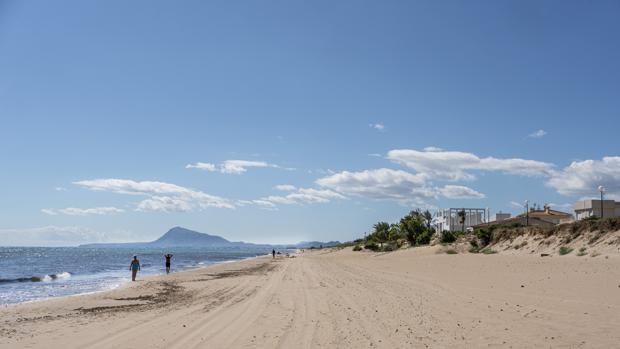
582 178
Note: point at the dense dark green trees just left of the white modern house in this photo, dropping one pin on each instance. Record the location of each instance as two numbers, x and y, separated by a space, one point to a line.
415 228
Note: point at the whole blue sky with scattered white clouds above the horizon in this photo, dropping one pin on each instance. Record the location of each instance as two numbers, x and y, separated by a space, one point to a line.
282 121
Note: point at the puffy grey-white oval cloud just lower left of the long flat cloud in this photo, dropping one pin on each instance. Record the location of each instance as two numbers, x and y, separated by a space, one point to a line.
383 183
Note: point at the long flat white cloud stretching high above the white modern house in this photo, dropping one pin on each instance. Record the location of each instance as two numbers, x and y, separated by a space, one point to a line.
455 165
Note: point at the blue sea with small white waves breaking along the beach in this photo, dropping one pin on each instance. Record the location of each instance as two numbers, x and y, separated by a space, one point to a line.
34 273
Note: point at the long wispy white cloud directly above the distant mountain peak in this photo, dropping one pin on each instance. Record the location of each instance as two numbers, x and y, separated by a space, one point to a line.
157 191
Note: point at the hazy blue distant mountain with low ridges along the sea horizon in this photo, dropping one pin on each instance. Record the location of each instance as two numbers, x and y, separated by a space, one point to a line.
181 237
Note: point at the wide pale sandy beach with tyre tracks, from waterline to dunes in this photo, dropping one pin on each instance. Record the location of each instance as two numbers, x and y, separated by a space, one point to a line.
343 299
